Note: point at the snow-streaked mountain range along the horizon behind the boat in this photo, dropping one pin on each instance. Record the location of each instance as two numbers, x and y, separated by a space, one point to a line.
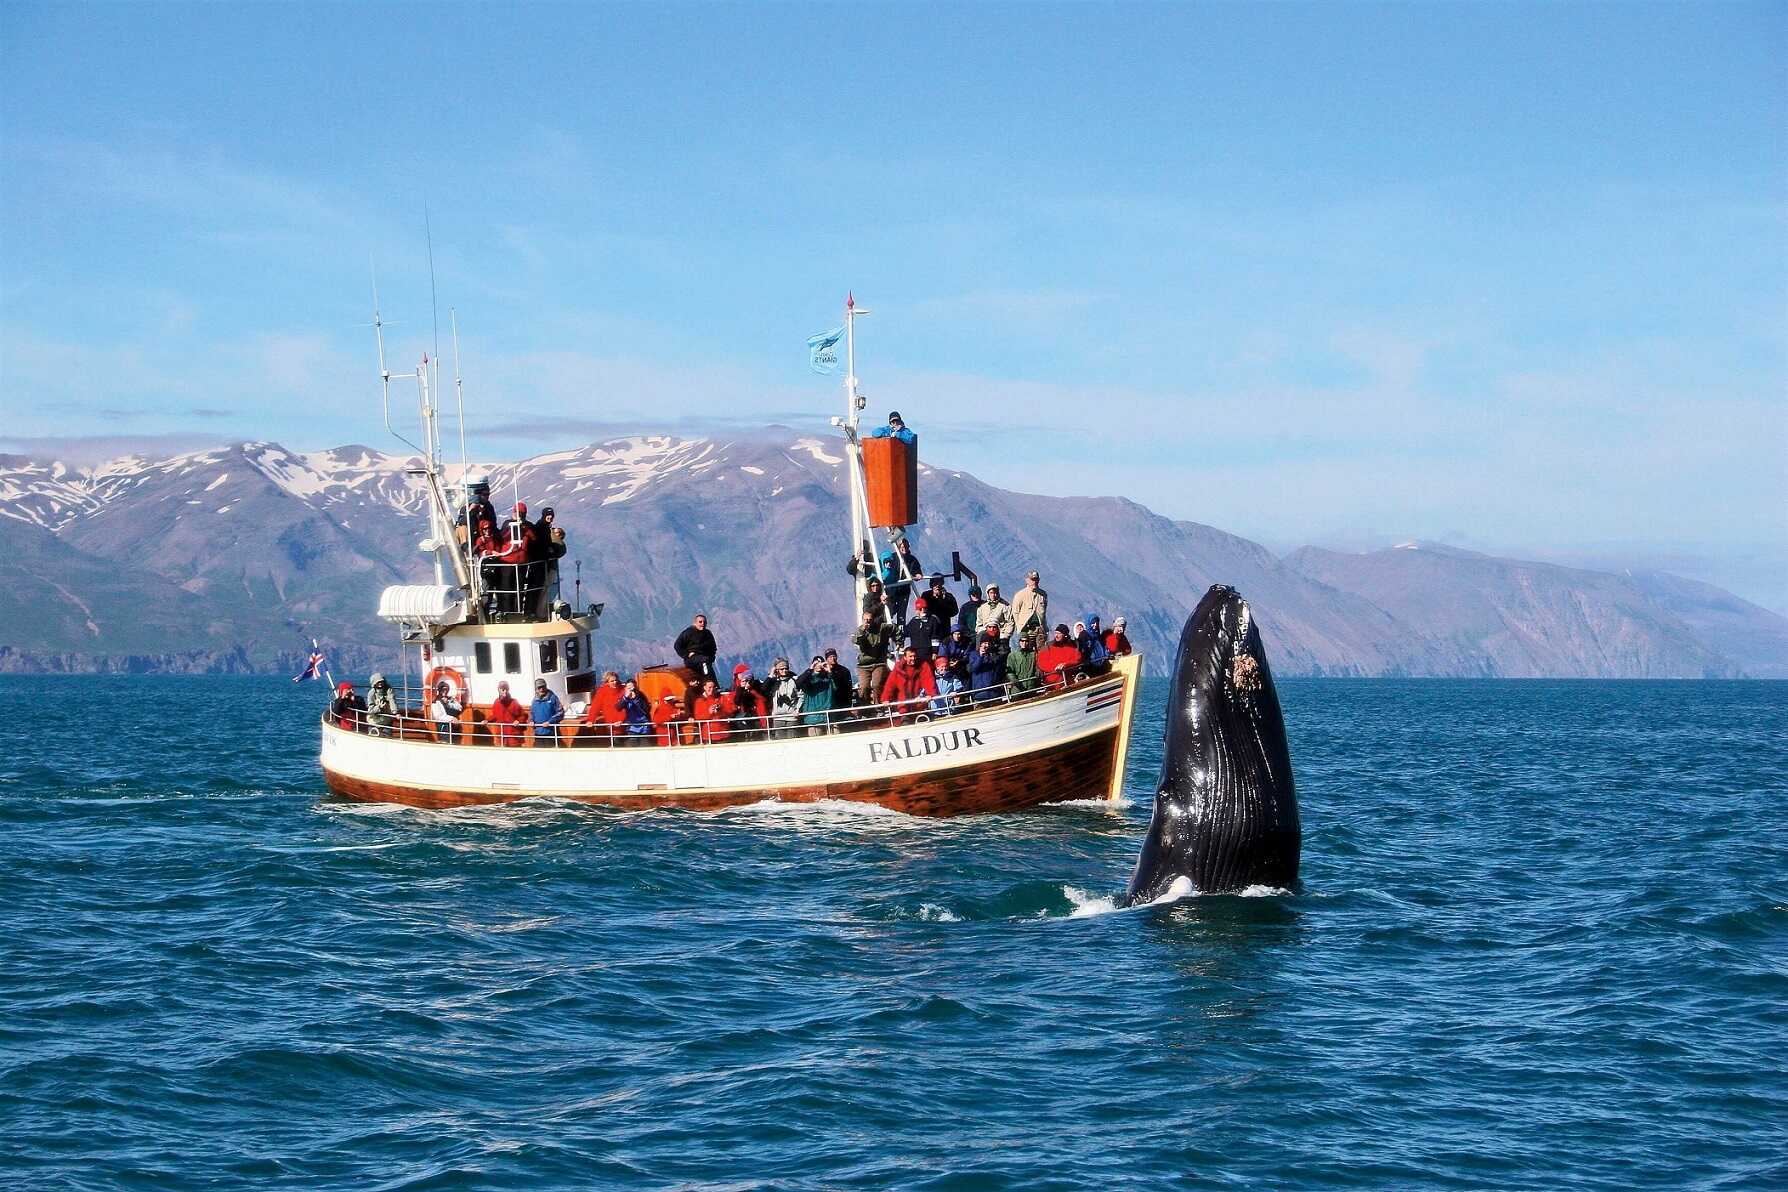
233 558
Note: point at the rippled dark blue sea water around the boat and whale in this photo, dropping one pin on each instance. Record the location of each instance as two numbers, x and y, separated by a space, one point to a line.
1540 941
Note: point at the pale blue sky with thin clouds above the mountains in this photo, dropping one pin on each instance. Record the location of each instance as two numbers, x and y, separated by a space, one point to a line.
1505 276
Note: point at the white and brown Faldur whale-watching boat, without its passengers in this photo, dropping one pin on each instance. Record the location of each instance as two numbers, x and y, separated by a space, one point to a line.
485 623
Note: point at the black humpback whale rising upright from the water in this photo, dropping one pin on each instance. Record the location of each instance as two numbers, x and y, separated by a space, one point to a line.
1227 807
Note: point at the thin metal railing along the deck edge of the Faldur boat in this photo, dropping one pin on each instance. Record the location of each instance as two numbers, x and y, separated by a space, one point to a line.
416 721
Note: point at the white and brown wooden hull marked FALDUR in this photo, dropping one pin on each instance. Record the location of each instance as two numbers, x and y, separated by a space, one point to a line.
1006 759
